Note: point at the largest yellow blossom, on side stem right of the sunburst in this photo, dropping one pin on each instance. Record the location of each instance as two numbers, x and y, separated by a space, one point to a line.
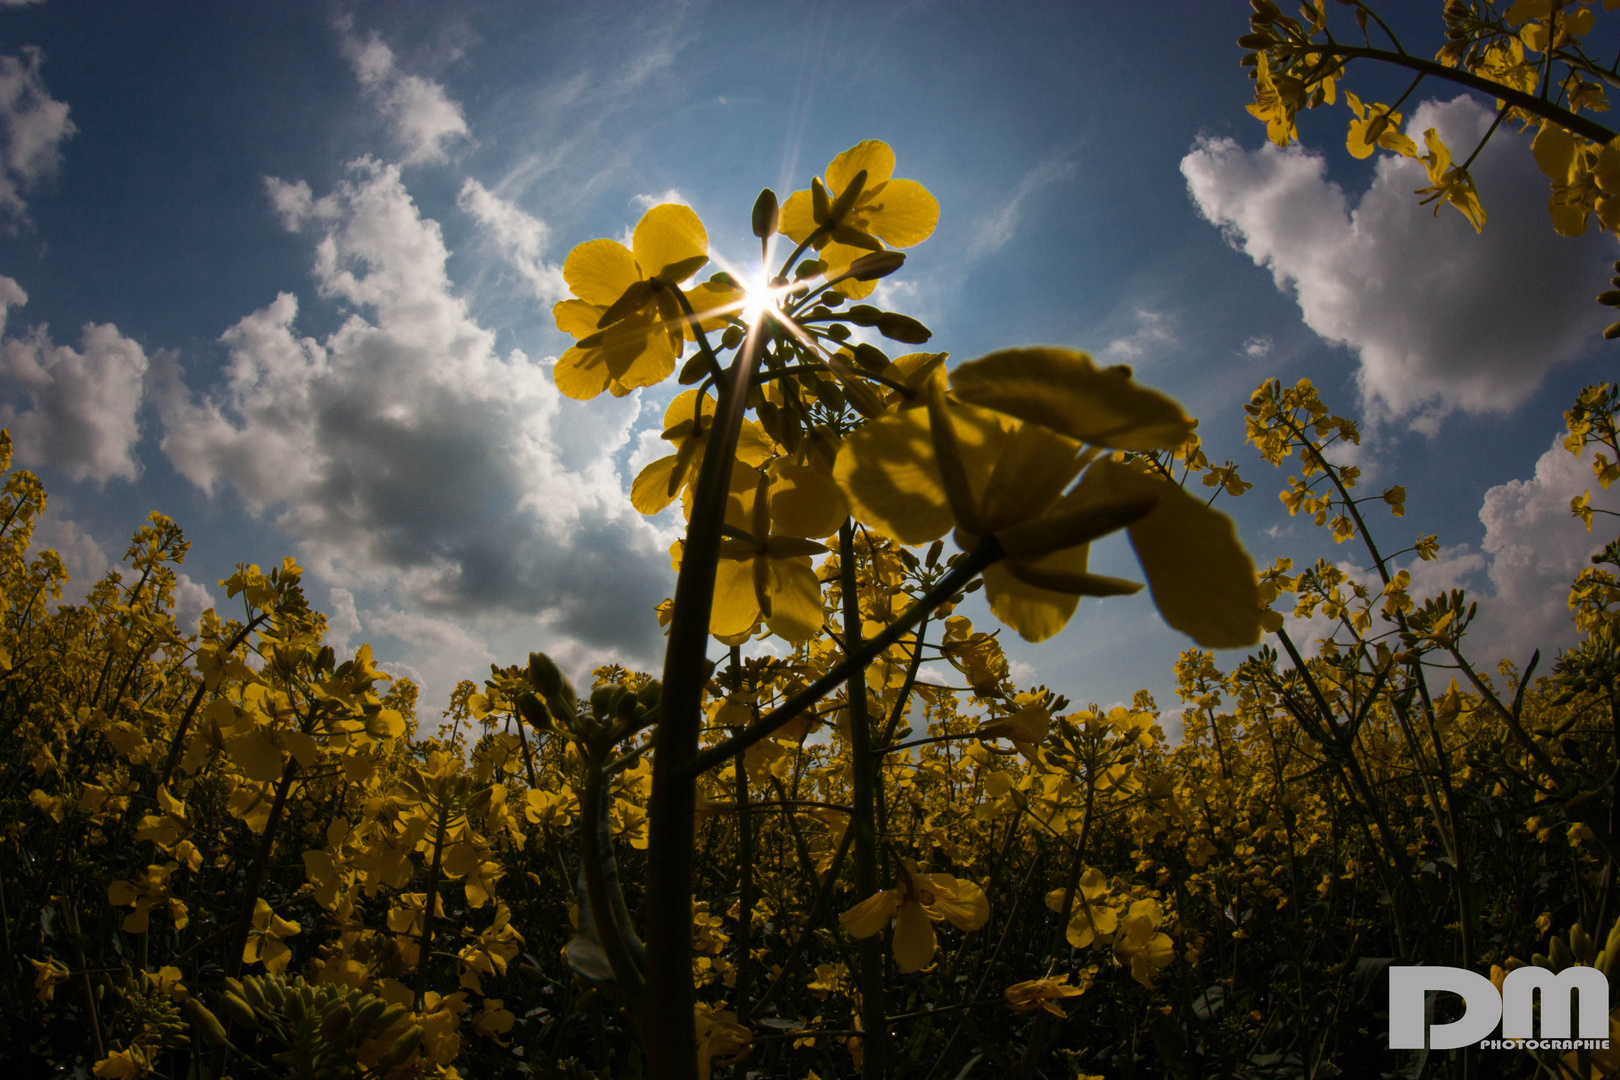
997 454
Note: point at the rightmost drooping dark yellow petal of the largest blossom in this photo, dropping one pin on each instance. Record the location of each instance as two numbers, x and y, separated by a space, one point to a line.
1198 571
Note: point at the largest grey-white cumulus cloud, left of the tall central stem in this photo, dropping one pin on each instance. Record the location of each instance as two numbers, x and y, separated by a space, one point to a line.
404 454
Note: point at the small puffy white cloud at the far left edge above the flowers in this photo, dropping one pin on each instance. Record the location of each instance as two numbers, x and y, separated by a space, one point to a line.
83 406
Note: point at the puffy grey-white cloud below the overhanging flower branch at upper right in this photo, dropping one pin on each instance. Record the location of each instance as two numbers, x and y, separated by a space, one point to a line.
1439 318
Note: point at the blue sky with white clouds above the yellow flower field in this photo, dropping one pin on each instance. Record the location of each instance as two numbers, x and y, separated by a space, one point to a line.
289 273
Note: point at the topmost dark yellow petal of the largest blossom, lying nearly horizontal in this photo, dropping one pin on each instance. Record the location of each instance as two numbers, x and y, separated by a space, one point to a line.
1065 391
